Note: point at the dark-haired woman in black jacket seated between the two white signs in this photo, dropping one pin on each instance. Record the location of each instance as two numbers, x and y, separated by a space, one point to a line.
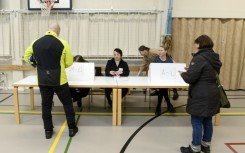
116 67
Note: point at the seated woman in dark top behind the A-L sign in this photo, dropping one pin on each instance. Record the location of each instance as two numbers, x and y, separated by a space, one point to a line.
163 58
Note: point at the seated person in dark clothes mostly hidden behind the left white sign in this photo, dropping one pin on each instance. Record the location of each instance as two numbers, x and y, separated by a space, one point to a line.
78 93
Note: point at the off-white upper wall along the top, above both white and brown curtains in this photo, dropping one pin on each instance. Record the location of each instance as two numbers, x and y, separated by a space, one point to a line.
181 8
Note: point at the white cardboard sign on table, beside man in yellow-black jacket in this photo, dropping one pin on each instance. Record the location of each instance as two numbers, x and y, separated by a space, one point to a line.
80 72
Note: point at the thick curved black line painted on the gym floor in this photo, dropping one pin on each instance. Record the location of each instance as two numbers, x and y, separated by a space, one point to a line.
137 131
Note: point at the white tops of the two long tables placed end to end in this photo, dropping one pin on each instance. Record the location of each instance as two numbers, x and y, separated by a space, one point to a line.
120 82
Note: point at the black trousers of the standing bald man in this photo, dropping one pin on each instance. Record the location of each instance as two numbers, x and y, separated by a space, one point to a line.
63 93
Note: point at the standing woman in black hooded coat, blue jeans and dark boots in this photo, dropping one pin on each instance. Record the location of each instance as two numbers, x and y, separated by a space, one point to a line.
203 96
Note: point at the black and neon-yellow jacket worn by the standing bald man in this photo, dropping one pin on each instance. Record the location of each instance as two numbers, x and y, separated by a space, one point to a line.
52 55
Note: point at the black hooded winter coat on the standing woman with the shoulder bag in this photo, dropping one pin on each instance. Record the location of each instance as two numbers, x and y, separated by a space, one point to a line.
203 97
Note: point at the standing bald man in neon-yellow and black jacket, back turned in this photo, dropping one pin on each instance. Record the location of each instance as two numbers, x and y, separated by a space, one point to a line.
52 55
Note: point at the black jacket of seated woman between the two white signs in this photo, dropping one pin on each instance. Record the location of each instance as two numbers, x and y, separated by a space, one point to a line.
112 66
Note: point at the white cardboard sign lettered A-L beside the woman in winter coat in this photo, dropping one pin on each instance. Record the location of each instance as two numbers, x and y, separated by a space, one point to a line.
166 72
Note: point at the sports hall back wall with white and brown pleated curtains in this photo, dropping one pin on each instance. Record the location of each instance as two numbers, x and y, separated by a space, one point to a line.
95 27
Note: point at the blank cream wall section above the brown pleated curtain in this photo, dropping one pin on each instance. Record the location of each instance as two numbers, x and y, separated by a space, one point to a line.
209 8
